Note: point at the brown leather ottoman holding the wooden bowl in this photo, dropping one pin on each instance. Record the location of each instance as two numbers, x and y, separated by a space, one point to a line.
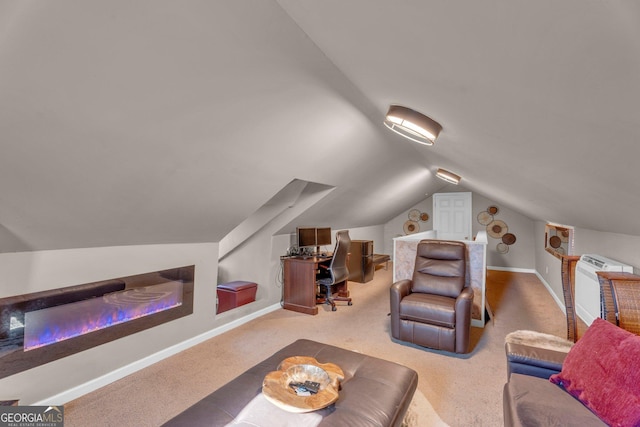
374 392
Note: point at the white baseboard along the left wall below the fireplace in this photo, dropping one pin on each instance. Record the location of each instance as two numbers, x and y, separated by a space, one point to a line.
76 392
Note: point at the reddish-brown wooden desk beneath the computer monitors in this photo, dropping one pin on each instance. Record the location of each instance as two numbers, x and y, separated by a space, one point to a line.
300 283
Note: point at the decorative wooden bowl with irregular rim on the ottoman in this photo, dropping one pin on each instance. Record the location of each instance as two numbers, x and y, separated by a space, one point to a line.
275 386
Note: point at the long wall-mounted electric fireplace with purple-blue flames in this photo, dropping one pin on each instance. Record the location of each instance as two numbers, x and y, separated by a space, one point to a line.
40 327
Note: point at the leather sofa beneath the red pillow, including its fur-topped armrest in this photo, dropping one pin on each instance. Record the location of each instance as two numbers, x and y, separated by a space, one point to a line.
529 398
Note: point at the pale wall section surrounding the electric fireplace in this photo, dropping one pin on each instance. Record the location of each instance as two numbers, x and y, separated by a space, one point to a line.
25 272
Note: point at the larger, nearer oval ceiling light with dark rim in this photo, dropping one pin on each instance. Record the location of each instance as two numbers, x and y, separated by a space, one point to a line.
411 124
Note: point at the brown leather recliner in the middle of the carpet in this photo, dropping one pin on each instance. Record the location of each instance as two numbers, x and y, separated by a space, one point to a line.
433 309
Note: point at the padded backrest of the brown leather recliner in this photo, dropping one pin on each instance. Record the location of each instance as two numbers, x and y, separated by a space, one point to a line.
440 268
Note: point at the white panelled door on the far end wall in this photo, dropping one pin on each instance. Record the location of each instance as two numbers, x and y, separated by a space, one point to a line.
452 216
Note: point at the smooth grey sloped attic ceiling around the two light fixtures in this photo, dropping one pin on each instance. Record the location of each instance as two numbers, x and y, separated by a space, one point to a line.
163 121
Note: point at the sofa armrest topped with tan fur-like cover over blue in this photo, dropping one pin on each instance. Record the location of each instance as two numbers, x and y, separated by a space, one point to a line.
535 354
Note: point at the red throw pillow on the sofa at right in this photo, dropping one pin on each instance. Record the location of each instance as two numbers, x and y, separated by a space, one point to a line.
601 370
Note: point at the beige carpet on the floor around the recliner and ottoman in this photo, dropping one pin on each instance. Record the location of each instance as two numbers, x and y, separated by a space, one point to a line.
463 390
